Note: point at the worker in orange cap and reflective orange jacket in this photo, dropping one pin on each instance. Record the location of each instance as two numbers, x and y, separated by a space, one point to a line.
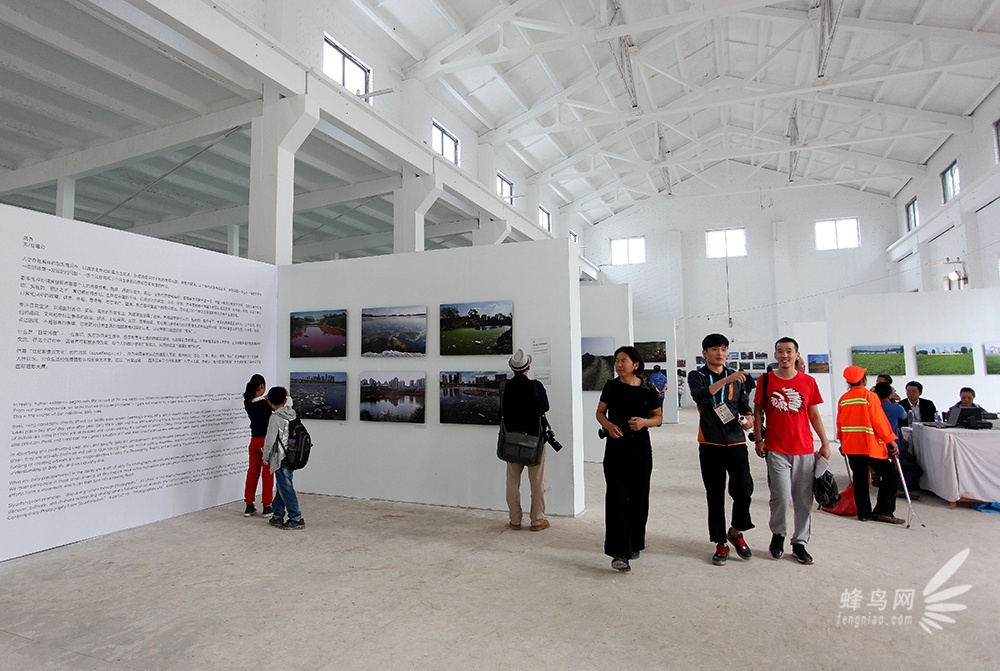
868 442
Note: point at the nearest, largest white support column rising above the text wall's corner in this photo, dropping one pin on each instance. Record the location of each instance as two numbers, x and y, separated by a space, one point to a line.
274 138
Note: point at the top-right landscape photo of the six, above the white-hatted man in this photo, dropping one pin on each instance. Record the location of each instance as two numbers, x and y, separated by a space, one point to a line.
477 328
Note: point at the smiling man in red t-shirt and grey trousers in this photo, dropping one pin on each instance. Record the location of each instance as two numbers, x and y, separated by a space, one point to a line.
790 407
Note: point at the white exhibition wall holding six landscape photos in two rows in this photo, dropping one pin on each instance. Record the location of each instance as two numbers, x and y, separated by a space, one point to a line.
431 462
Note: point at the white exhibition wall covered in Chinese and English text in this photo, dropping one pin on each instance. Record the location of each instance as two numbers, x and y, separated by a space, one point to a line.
127 358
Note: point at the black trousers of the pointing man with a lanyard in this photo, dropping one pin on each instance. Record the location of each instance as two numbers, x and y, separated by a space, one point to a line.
718 461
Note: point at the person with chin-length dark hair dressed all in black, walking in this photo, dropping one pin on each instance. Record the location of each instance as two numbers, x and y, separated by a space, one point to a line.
627 409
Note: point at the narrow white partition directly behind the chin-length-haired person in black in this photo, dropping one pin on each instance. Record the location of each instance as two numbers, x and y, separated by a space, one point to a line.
605 312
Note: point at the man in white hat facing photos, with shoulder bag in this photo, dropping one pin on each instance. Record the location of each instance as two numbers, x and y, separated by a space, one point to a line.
521 406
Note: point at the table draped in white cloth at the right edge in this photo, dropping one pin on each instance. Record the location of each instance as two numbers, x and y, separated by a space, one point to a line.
959 464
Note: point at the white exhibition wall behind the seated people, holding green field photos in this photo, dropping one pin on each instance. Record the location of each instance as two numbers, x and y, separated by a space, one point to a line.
912 319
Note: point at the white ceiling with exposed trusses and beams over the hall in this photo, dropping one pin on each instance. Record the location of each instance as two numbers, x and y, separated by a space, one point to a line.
603 103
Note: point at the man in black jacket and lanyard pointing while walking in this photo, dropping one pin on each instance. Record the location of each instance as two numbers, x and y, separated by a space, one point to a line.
723 401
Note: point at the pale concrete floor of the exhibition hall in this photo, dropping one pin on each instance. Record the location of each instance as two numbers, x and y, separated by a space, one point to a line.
375 585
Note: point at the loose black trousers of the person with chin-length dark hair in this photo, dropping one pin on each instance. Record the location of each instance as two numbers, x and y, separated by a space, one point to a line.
628 464
